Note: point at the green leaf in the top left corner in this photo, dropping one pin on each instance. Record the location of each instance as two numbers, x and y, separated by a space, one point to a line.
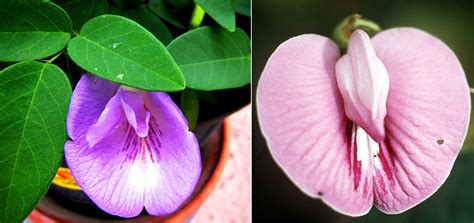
32 31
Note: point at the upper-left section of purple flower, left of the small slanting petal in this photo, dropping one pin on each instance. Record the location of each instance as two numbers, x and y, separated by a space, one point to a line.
87 103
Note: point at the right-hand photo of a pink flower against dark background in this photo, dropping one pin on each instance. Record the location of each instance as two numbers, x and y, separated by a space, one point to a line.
361 111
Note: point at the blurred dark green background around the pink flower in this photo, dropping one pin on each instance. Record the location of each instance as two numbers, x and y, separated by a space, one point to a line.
275 198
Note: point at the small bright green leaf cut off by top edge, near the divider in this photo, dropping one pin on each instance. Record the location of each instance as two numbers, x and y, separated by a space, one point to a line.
220 10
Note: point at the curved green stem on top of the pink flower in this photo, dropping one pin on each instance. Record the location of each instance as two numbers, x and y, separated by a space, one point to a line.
343 31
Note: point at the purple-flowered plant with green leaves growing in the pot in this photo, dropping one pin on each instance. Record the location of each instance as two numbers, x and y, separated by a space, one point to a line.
130 146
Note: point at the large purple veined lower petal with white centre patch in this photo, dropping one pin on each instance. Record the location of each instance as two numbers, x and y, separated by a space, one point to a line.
123 173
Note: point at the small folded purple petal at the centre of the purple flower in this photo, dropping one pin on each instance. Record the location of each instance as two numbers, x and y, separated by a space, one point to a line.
134 108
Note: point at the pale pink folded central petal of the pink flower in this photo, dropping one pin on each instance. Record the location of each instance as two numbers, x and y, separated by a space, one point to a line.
364 83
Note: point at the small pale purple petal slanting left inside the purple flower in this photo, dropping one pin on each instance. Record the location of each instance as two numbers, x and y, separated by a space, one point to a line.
110 118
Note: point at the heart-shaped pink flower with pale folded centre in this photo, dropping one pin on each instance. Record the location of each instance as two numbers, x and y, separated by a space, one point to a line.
381 125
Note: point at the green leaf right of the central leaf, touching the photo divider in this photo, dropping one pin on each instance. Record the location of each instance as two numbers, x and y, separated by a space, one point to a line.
213 59
